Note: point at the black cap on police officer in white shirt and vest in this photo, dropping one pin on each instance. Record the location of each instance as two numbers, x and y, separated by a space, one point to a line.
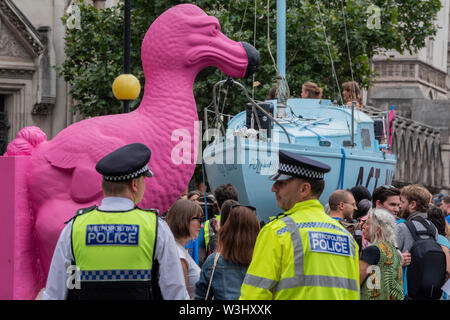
126 163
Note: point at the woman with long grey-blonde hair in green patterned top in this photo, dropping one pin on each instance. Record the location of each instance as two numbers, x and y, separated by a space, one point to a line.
380 263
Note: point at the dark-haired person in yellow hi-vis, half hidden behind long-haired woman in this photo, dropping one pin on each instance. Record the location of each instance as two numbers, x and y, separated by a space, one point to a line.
208 235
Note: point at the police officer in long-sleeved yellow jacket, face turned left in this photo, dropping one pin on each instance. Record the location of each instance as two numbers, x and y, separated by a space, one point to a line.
303 253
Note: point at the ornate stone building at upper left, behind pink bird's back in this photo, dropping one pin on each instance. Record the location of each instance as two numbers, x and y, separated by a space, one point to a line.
31 45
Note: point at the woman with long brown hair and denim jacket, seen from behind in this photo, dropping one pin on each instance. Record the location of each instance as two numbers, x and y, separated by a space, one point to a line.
226 268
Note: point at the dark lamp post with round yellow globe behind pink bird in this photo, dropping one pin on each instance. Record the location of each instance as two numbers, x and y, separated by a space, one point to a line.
126 87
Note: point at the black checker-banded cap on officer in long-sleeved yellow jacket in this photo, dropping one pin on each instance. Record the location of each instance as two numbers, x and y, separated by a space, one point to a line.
292 165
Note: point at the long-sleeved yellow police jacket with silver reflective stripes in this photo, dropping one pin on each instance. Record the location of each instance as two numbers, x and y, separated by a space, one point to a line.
304 255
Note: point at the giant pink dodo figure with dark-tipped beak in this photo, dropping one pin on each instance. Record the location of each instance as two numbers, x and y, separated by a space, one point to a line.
179 43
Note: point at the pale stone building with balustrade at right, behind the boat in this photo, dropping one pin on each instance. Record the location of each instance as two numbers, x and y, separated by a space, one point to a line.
418 85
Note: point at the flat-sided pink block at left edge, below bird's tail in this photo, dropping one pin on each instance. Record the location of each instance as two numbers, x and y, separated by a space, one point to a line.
19 272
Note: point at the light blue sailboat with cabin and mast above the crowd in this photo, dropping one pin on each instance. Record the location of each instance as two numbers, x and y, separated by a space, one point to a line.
245 154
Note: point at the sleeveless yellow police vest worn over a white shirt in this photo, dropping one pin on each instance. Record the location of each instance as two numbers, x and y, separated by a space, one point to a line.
114 246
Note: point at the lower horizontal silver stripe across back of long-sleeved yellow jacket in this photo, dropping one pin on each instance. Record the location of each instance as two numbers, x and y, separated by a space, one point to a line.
317 281
